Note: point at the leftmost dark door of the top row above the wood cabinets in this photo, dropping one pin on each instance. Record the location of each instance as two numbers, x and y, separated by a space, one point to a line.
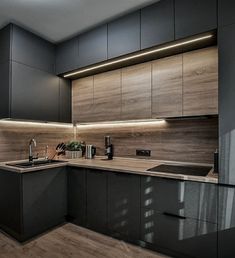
67 56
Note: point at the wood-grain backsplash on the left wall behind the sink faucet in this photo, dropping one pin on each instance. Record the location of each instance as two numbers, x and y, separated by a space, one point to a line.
14 139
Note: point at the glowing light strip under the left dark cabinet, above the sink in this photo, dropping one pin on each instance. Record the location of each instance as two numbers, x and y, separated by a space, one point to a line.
29 123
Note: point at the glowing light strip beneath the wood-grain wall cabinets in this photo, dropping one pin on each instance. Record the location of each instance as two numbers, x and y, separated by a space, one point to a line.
121 123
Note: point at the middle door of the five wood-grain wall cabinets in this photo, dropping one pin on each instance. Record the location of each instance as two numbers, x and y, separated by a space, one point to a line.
136 91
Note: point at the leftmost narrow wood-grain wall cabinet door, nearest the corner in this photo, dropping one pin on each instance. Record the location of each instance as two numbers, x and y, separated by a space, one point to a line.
82 100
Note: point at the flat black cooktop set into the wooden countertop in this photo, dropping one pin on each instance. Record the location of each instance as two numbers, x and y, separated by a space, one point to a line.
181 169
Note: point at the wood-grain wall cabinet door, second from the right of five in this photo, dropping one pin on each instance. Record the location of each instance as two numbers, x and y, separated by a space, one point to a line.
167 87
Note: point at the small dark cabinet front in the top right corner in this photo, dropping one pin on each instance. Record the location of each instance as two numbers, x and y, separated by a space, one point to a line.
226 9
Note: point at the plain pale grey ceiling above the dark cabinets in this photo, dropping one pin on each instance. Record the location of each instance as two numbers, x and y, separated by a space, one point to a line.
57 20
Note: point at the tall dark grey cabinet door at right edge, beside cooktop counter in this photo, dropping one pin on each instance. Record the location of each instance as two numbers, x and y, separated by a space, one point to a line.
226 38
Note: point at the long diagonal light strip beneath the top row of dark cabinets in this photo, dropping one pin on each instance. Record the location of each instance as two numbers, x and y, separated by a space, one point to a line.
139 55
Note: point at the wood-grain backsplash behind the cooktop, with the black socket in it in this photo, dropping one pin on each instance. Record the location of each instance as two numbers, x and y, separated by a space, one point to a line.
192 140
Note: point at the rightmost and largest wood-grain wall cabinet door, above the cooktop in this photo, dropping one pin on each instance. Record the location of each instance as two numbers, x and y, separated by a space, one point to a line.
200 82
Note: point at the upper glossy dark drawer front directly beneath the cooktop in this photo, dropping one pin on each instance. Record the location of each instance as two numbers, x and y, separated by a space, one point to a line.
181 198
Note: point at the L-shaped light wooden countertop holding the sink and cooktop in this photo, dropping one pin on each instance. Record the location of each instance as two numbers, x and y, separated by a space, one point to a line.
122 165
